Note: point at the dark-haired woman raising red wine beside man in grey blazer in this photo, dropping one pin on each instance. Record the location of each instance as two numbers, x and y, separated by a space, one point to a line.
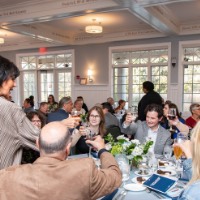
175 126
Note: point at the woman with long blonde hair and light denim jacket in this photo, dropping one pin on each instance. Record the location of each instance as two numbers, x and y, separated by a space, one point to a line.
192 165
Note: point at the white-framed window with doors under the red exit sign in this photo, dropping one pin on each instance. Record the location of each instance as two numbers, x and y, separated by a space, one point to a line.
46 74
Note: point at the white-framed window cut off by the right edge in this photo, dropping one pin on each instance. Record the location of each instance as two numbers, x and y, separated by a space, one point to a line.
191 74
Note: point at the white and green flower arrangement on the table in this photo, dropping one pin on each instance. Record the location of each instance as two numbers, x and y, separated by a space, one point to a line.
131 148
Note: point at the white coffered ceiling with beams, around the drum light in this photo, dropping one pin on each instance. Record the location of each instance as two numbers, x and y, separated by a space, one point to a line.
45 23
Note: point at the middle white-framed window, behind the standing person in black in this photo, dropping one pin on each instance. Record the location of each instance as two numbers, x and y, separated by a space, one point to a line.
131 68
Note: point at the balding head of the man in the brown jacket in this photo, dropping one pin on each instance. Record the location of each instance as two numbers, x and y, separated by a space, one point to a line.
54 138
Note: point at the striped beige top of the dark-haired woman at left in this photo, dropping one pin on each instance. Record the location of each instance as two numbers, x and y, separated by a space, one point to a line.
16 132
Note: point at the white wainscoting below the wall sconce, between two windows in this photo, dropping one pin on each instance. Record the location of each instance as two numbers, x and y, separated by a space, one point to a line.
92 94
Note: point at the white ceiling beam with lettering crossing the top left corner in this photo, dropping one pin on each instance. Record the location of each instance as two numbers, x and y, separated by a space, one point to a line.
51 10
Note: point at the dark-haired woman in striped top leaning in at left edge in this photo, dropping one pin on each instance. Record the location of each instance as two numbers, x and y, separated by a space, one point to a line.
16 130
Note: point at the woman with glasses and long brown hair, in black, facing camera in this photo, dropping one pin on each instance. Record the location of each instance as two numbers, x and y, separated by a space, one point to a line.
96 121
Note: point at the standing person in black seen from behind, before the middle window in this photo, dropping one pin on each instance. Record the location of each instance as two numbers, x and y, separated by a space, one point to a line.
150 97
